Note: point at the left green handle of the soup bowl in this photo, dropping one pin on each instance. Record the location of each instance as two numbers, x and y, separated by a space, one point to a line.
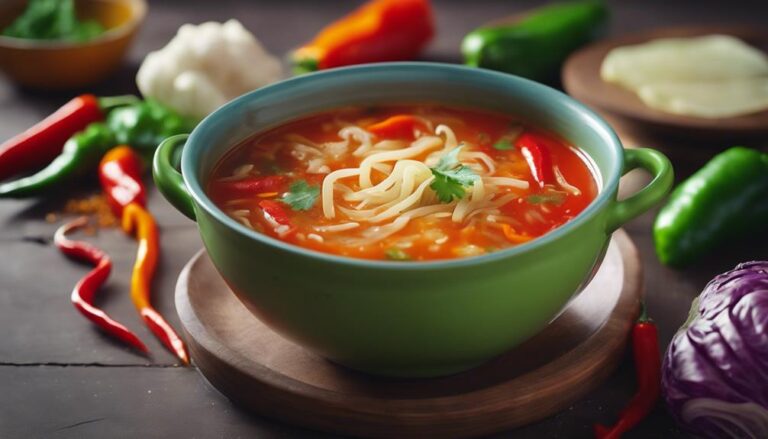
168 179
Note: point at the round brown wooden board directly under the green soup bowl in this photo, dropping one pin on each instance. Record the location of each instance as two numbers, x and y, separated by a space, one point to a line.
273 377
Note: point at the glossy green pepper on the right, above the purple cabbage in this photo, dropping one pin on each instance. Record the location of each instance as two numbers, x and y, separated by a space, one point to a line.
724 200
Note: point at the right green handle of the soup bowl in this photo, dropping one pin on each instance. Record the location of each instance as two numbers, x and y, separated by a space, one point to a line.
659 166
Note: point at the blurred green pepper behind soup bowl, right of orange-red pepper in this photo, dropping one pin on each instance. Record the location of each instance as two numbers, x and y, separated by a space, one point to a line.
536 46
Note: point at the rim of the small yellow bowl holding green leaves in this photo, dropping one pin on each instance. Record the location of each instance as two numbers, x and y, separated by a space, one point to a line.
139 11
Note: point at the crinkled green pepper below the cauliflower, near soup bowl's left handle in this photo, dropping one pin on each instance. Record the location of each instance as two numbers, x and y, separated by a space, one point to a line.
143 125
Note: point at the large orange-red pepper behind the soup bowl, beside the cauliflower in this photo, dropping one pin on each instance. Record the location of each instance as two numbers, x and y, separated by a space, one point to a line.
380 30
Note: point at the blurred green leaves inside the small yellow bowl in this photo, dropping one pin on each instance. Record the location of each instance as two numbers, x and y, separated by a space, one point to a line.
52 20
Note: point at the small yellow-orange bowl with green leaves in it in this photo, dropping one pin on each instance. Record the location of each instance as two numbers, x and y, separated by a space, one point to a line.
56 65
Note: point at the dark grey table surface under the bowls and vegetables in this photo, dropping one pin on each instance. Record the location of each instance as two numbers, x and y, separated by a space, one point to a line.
60 378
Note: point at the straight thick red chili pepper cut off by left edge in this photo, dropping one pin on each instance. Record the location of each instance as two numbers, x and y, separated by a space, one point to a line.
40 144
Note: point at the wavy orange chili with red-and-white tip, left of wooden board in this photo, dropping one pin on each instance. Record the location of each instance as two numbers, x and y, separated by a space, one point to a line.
137 219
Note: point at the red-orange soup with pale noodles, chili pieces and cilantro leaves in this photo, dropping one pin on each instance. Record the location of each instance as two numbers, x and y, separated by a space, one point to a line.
404 183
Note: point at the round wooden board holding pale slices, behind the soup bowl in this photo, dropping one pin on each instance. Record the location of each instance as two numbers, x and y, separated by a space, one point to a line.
581 79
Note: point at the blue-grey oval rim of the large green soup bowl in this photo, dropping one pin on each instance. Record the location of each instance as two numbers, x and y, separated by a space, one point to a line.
595 122
